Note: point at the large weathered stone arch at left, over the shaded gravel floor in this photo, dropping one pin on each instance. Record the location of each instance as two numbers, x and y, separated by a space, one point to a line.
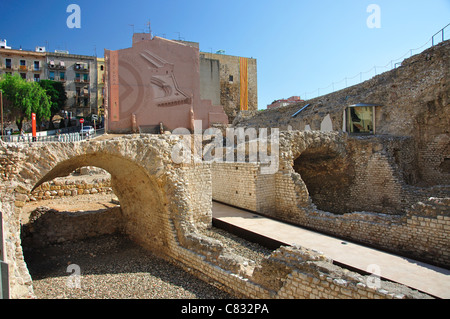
140 178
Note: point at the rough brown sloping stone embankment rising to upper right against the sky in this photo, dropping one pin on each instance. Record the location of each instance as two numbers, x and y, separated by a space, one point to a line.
414 101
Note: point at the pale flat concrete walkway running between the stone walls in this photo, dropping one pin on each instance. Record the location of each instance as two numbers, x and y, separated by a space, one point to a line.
417 275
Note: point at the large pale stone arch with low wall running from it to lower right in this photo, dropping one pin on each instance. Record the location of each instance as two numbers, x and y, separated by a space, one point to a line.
162 211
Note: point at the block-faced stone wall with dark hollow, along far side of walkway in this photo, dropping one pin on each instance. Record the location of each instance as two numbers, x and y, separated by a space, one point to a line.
348 187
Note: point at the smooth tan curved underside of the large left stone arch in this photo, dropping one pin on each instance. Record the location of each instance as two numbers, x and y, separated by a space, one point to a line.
139 194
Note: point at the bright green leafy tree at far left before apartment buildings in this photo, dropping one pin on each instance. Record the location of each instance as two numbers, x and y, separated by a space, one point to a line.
25 98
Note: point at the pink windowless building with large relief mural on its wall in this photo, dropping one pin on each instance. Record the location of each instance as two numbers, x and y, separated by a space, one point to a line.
155 81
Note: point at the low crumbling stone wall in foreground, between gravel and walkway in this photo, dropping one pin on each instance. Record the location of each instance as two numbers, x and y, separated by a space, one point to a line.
293 273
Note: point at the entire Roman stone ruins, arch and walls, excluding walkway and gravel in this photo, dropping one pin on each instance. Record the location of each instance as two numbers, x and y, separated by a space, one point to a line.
367 164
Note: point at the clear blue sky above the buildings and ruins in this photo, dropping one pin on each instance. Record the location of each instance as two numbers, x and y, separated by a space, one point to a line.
300 46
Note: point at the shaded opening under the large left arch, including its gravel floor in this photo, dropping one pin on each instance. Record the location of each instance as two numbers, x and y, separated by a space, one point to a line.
123 263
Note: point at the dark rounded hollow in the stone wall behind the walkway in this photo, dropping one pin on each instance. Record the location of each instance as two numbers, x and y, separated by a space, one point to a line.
328 178
